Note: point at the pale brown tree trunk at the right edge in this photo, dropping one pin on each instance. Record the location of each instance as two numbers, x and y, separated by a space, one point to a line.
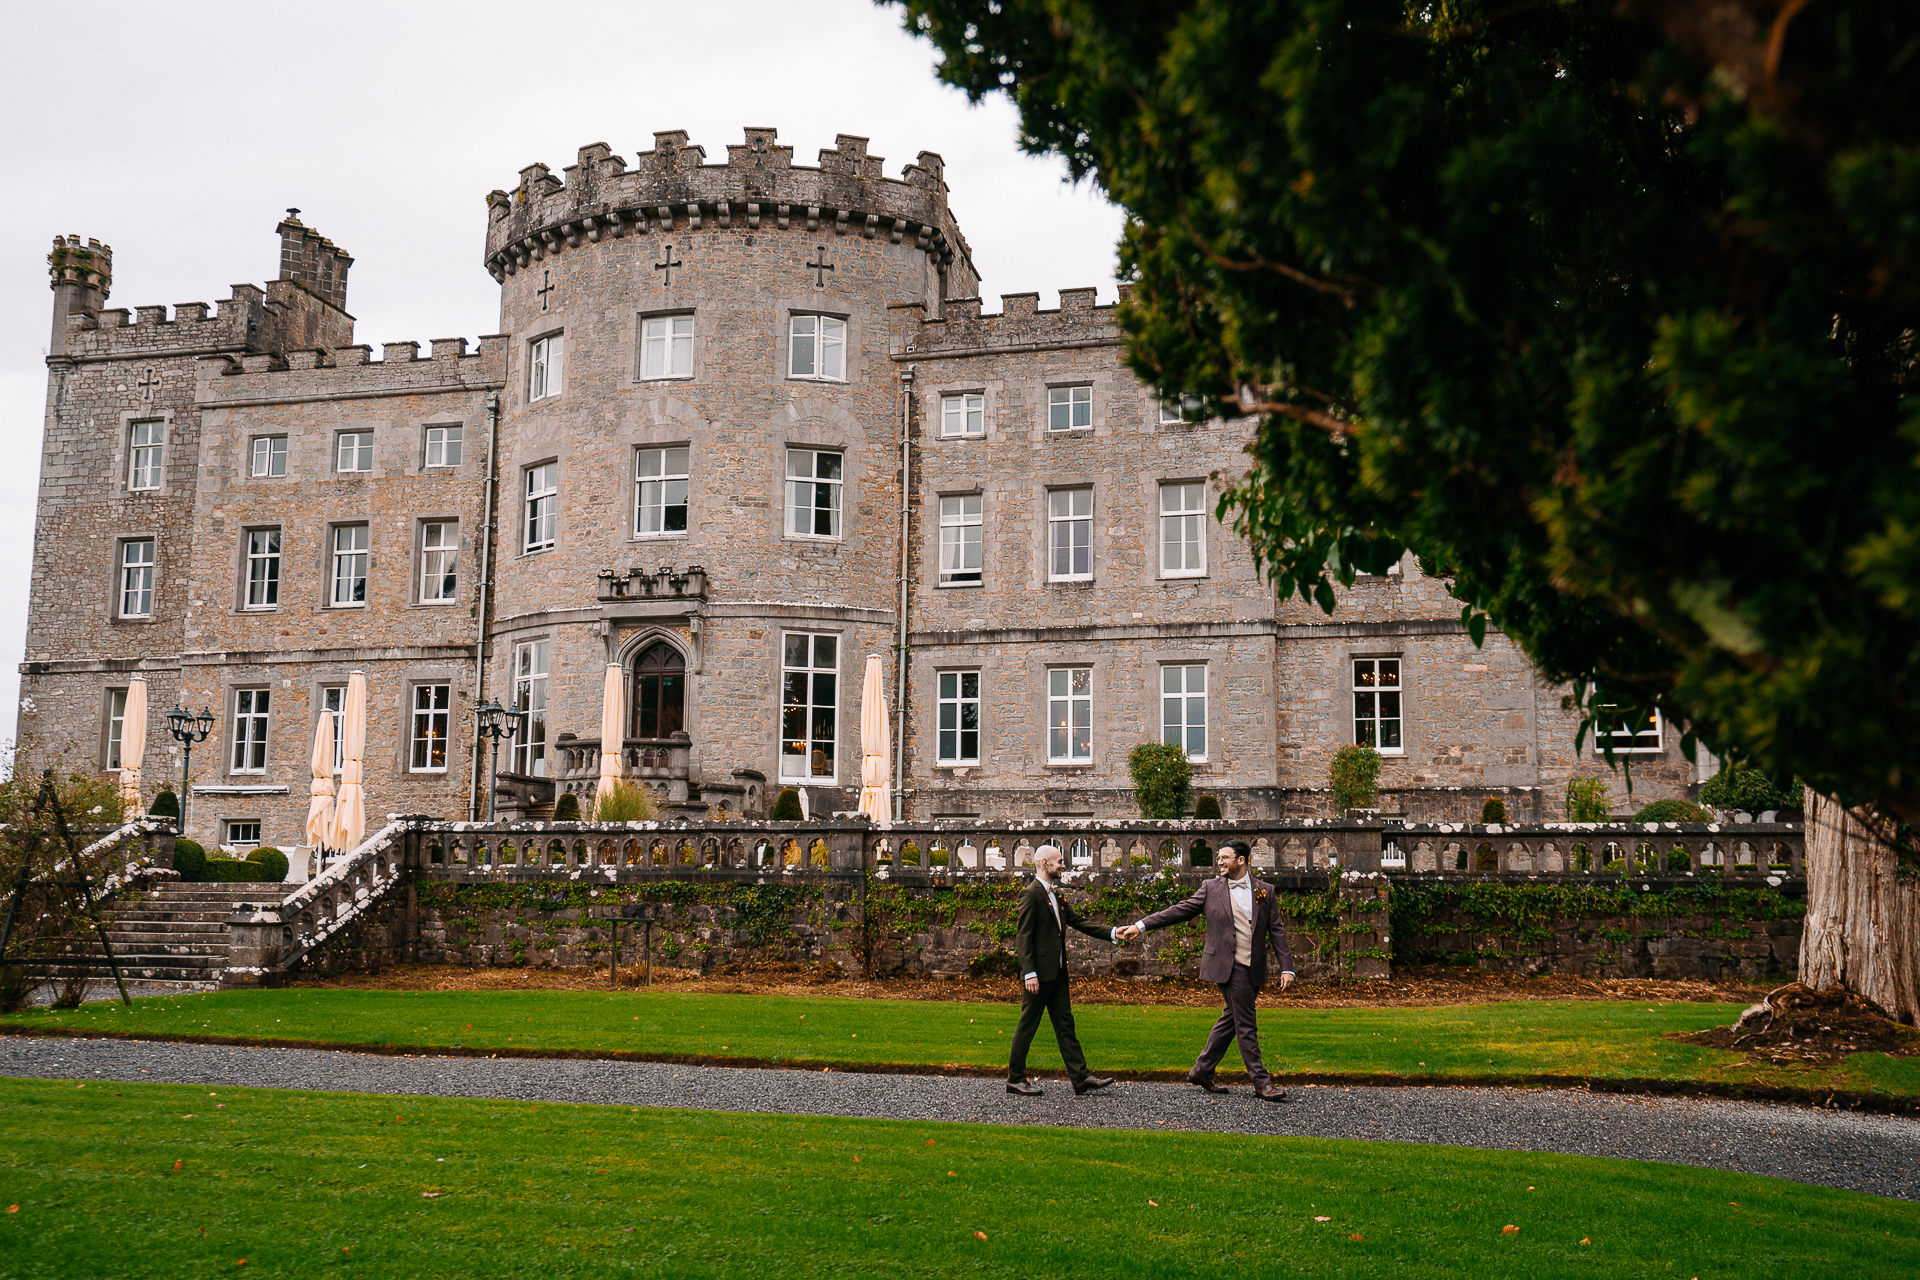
1863 916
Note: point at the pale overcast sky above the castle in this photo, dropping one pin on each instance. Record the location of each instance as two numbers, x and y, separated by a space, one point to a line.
180 133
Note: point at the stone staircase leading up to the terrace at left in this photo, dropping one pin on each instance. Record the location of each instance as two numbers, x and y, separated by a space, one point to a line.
178 934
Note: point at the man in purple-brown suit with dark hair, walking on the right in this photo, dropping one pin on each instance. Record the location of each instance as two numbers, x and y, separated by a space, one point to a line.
1241 926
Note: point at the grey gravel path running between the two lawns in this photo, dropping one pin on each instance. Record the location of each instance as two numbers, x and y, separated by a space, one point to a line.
1875 1154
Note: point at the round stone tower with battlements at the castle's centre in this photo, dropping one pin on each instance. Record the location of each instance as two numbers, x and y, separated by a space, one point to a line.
700 458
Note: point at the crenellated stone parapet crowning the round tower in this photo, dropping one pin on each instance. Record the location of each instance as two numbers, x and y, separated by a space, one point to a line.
759 187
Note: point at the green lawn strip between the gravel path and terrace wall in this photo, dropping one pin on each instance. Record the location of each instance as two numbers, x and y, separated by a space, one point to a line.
1566 1039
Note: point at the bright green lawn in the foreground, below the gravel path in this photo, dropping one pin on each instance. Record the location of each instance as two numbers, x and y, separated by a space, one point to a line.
320 1185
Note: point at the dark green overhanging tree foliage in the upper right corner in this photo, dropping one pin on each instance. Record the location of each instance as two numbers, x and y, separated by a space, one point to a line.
1604 308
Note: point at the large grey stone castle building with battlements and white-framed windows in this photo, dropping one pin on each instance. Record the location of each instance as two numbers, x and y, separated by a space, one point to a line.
684 454
